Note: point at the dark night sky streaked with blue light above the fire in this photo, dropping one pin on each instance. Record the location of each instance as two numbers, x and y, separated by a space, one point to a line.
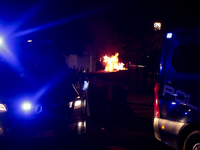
76 23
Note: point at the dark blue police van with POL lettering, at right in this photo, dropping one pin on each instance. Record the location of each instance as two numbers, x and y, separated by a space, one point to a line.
176 94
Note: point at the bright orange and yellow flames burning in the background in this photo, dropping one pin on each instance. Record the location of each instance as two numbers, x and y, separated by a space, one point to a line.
112 63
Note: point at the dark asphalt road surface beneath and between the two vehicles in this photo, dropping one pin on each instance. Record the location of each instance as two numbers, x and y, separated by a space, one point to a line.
132 132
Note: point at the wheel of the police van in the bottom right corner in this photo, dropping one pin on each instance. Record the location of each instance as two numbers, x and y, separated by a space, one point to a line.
192 142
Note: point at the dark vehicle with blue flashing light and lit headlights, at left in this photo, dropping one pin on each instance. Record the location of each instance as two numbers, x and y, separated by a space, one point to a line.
37 98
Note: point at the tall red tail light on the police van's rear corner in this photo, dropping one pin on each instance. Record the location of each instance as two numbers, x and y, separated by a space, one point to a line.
156 100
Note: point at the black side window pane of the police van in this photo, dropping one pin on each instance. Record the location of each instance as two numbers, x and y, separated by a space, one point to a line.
186 58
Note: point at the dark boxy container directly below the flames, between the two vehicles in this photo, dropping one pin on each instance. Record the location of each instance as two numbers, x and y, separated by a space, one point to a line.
106 93
